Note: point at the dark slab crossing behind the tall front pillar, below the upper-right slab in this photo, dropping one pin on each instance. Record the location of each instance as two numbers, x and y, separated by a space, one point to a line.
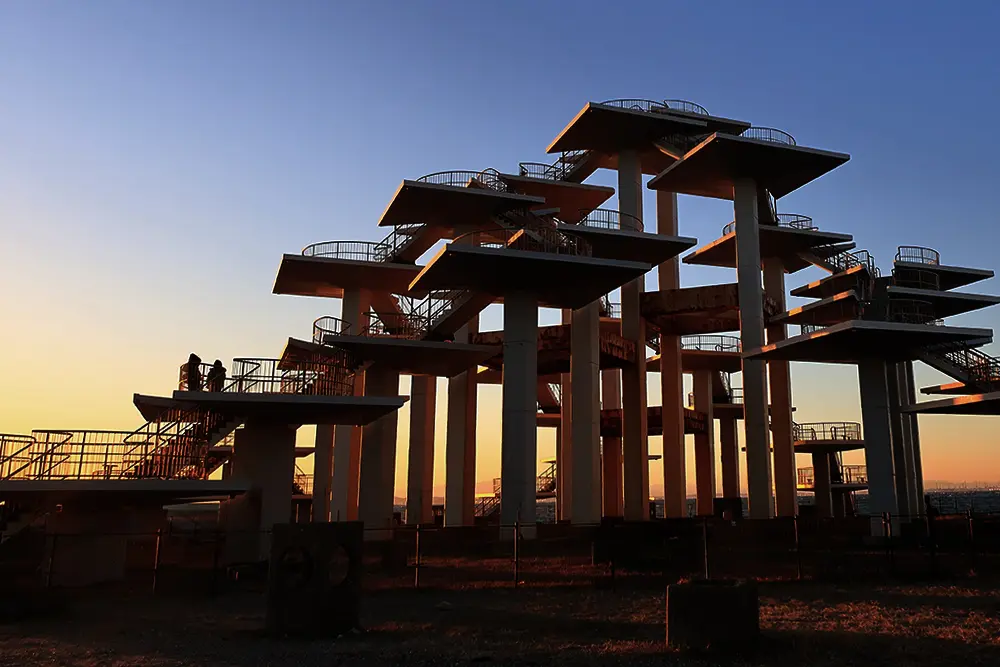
785 243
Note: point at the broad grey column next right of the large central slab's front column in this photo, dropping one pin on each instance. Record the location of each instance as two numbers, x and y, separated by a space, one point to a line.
586 424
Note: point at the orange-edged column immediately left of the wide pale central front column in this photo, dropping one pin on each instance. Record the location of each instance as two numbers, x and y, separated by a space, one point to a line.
460 445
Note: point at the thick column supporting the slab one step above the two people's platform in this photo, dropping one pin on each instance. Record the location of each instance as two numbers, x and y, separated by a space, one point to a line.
378 457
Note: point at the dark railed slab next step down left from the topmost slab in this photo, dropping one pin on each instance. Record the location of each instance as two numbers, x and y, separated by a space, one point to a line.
446 205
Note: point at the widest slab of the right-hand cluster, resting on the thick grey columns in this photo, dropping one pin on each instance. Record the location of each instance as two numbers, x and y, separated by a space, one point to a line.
849 342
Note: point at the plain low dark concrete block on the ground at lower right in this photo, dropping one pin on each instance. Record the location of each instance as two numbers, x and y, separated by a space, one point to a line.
718 615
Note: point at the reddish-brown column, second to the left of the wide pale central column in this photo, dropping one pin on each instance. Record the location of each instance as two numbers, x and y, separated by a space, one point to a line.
420 461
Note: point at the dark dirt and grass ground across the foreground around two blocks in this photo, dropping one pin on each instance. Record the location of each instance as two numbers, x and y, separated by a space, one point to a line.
803 623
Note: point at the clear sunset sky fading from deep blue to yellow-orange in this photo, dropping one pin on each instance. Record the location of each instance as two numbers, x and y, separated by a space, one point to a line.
157 159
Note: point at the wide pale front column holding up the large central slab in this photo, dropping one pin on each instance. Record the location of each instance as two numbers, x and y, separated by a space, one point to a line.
519 441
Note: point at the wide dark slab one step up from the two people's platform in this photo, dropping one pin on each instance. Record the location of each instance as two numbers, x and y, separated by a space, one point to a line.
410 357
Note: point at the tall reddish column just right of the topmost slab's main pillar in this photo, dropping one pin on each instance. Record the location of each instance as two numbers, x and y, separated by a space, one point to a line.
671 375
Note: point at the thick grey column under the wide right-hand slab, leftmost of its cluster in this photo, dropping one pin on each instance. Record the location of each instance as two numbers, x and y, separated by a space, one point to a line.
878 439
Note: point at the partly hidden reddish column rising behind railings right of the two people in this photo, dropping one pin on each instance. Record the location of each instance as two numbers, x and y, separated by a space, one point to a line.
346 455
